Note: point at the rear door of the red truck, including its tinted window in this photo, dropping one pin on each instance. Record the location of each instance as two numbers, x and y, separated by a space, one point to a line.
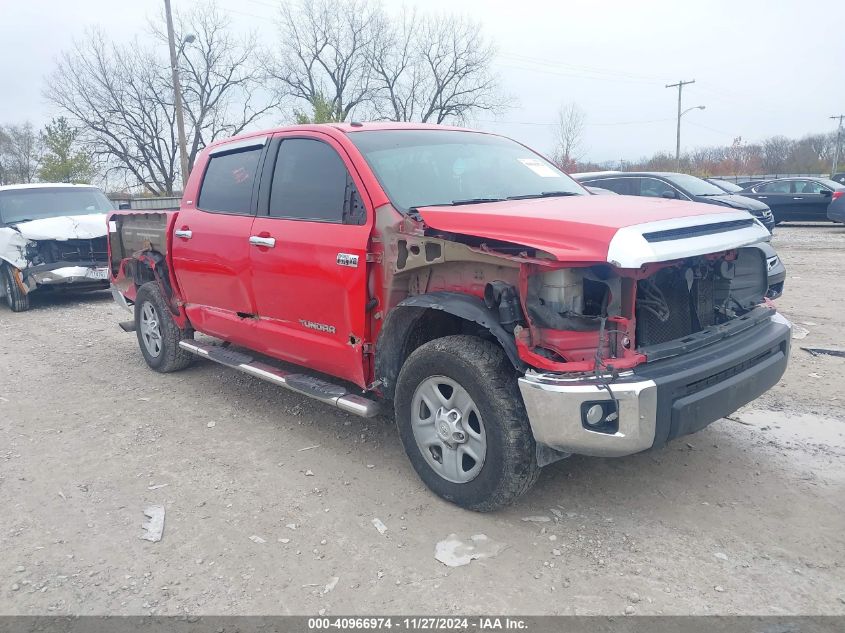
210 247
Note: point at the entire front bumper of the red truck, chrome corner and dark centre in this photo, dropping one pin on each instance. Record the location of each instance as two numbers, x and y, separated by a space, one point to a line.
659 400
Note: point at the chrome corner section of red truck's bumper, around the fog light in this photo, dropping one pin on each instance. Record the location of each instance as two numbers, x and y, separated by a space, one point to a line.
554 406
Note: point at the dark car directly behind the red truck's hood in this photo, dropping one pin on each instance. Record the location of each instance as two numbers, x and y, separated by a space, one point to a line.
684 187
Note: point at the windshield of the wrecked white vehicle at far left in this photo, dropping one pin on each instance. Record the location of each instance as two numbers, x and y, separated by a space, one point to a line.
20 205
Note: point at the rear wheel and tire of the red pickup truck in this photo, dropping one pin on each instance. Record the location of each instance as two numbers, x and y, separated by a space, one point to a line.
158 334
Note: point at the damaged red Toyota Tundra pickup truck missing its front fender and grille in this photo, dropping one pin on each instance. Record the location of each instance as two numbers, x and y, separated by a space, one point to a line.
504 315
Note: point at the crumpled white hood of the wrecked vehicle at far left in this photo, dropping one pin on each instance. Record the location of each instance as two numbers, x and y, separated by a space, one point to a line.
15 237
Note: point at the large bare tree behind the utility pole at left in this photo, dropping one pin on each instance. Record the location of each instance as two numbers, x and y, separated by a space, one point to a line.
121 98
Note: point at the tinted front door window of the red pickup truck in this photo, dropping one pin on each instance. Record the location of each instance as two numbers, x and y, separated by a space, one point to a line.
310 182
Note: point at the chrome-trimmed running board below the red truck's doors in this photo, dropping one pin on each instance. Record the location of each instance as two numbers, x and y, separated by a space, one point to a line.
310 386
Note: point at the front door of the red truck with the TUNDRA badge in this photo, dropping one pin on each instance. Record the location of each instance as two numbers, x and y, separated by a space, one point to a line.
308 257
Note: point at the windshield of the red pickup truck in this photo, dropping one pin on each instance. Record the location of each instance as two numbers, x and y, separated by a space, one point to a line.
419 168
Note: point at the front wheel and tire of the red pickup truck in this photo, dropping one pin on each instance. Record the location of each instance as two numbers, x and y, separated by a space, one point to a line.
463 424
